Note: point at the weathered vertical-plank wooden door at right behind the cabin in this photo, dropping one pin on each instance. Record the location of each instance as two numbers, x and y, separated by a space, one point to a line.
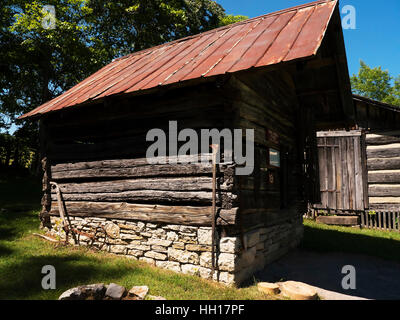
342 170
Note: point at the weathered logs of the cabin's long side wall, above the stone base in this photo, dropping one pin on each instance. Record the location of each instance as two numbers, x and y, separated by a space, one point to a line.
97 157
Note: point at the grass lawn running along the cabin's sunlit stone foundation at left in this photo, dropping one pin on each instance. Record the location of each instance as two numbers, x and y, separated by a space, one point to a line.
23 255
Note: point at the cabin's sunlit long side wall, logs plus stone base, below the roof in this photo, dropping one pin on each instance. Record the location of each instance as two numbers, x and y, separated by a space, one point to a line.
115 200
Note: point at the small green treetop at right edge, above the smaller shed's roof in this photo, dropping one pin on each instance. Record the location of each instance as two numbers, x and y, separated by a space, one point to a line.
376 84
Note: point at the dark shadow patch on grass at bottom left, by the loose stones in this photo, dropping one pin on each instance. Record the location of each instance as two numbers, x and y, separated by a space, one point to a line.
22 279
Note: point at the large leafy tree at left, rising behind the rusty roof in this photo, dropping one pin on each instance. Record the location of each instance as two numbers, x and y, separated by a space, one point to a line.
38 63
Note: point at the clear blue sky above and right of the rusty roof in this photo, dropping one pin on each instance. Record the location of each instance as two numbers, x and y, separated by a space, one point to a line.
376 39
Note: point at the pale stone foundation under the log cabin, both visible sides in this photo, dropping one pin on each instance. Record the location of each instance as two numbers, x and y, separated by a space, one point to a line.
186 249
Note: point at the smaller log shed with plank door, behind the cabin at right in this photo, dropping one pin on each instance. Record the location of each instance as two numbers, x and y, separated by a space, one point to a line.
360 164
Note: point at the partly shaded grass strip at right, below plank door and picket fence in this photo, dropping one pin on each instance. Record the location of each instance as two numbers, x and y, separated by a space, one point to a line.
324 238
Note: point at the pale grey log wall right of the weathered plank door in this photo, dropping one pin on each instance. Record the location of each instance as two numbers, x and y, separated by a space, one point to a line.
383 152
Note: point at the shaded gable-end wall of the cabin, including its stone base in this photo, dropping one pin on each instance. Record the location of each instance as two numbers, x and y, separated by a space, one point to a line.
270 202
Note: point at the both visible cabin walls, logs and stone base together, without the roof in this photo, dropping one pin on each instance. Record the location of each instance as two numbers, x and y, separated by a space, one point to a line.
161 213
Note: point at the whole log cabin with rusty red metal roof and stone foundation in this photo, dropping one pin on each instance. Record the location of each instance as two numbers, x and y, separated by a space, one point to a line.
283 74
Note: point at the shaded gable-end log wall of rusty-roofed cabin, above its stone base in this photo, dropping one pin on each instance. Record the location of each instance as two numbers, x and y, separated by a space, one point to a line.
266 102
